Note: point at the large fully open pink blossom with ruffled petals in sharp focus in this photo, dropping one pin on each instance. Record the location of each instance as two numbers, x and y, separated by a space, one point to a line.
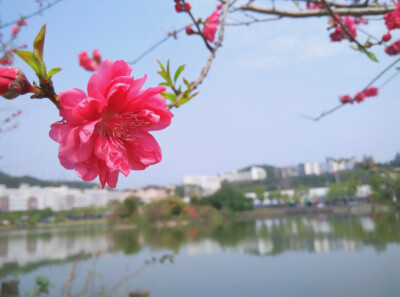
107 131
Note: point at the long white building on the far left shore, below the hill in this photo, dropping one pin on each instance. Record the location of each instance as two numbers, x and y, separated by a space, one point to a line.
28 197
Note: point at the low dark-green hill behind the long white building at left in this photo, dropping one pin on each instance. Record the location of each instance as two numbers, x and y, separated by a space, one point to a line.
15 182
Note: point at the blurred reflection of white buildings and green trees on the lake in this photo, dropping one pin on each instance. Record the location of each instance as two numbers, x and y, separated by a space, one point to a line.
320 234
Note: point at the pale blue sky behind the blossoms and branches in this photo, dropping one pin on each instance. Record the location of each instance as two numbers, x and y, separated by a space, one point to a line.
249 106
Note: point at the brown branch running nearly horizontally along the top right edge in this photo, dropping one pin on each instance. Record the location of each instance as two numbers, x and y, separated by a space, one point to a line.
353 11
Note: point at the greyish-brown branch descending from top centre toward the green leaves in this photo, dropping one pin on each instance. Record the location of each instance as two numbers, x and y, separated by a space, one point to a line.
206 68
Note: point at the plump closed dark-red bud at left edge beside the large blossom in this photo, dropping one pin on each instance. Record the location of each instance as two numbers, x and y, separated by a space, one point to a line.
13 83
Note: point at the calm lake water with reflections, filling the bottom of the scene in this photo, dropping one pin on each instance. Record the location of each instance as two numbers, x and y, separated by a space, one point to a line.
302 256
